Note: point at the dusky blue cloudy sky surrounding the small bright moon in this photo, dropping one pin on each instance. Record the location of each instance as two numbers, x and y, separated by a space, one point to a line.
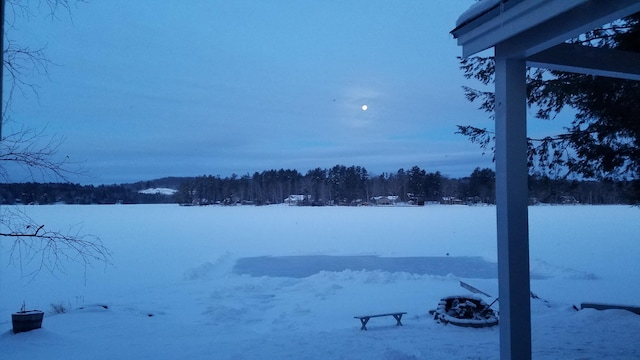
144 89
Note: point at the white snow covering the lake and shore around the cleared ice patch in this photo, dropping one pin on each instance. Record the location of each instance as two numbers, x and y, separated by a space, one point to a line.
173 292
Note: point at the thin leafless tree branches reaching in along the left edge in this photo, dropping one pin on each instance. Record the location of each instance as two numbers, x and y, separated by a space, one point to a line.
35 153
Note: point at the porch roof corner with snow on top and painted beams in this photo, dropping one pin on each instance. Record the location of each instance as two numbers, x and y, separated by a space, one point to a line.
537 30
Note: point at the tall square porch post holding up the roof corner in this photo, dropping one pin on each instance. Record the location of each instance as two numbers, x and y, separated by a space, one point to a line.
511 202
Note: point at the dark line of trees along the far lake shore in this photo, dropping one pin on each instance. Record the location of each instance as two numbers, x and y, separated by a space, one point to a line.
339 185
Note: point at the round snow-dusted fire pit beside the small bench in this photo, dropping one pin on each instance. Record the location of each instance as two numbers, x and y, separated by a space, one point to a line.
465 311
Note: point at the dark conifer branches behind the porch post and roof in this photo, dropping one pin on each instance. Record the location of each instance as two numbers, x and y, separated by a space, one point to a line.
603 139
